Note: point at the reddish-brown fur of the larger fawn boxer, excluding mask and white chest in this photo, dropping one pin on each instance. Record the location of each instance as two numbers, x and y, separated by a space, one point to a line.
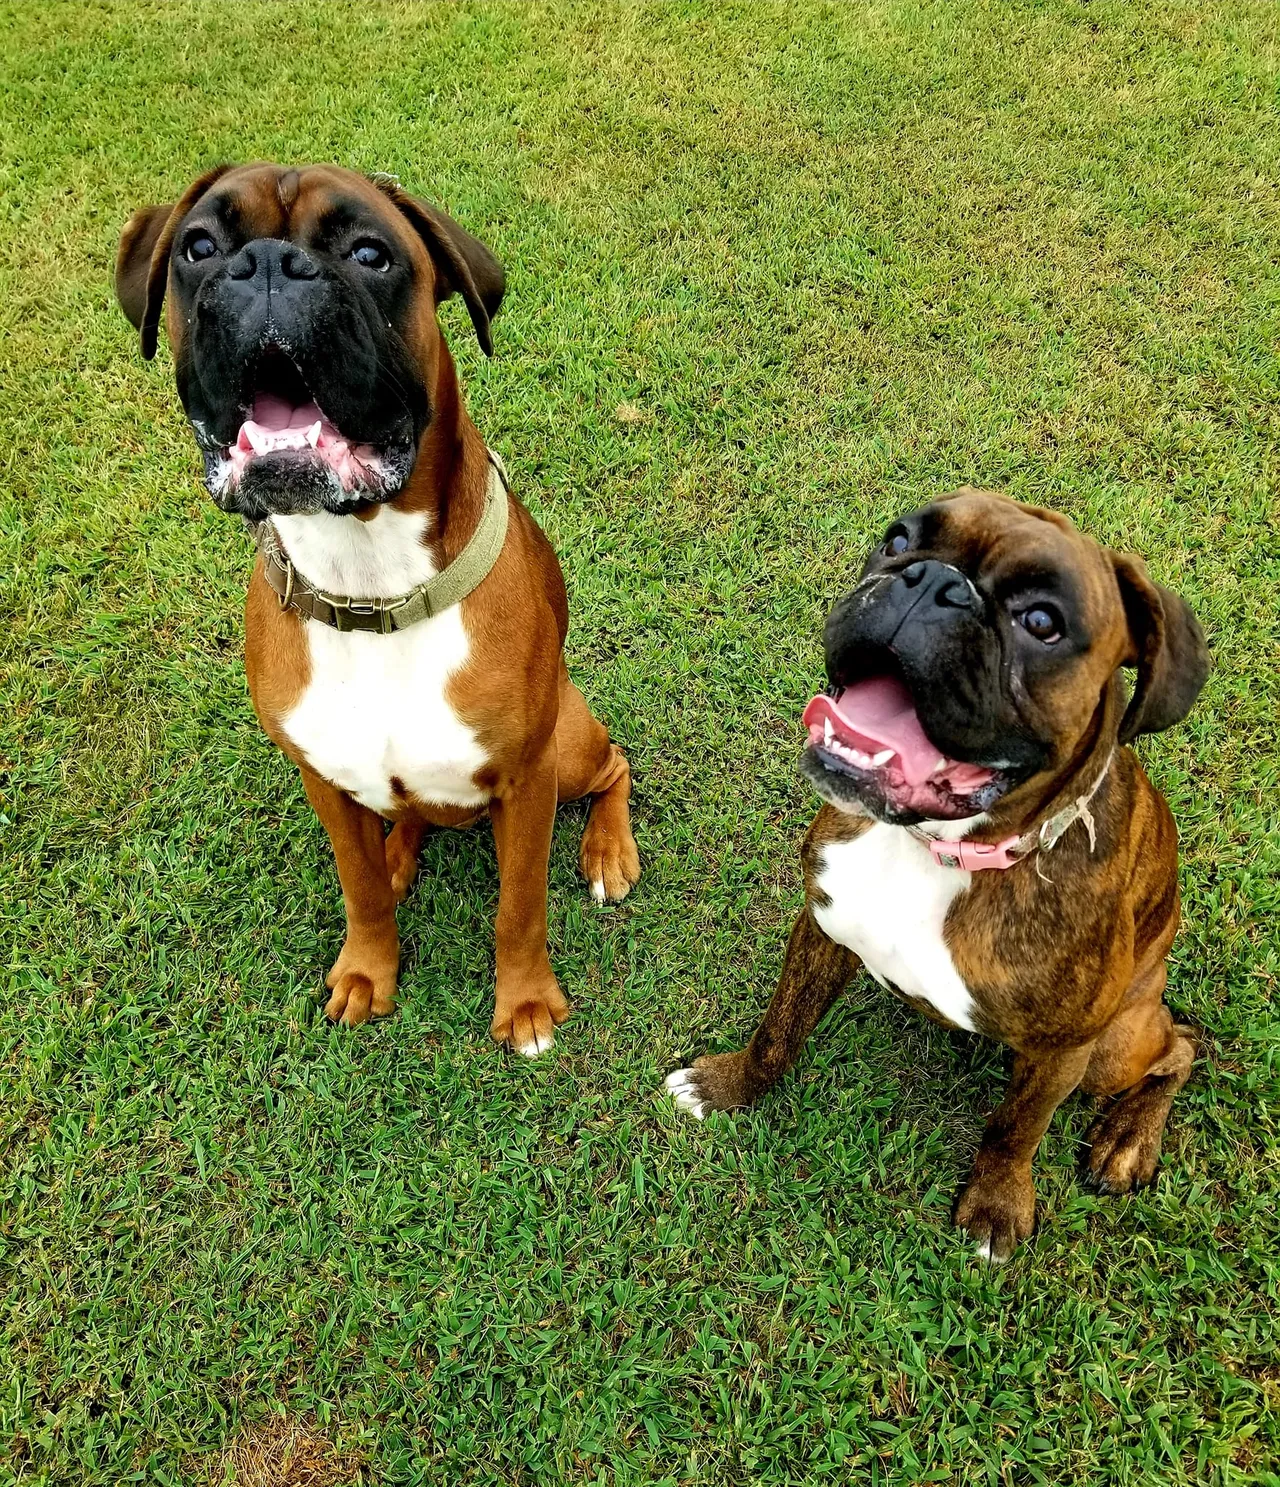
515 694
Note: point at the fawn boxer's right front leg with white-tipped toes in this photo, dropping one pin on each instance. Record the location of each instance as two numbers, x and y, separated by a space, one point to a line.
529 1000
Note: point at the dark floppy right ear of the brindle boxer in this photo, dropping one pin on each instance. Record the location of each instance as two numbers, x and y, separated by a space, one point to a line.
1169 651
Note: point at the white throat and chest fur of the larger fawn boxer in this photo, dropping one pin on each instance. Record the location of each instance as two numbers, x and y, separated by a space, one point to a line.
375 706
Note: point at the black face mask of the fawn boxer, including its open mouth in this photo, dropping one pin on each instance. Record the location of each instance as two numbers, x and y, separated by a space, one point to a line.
297 349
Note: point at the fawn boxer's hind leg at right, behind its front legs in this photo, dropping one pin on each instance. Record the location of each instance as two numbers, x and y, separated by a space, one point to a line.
591 765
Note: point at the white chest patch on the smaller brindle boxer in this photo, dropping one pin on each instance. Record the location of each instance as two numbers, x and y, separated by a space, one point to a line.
888 903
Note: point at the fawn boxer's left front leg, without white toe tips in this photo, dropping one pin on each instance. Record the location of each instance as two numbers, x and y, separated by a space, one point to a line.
363 976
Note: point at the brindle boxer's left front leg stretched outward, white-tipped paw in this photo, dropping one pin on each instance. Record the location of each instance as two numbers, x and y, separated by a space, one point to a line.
815 973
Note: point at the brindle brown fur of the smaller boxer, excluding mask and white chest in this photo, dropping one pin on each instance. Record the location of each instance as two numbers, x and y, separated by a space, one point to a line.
1064 954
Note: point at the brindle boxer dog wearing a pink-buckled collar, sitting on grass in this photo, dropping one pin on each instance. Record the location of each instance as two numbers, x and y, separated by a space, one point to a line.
989 848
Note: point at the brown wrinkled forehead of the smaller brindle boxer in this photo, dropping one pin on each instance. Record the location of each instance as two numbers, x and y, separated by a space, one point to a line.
1000 542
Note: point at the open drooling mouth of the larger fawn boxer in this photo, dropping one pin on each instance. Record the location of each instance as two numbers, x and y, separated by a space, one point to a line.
291 456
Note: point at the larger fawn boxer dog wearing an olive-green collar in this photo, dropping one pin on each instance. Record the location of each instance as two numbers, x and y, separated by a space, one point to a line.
407 616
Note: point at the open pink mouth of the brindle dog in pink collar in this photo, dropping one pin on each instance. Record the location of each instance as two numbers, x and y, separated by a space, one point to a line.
870 737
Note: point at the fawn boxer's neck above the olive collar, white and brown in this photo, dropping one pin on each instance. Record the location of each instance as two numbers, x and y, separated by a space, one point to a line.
396 546
